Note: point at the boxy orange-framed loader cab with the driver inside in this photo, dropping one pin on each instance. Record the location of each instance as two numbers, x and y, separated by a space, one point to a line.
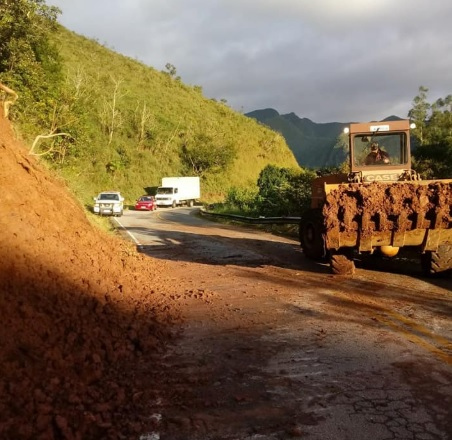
380 151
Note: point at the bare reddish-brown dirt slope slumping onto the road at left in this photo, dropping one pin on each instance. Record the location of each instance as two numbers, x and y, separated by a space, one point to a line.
82 314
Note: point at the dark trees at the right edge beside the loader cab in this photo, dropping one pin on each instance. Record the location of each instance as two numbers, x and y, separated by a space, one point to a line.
433 156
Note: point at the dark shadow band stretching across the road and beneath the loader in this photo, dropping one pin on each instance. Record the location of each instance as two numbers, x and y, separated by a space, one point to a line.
258 252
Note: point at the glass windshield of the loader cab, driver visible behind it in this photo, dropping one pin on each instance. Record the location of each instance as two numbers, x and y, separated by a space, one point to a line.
380 149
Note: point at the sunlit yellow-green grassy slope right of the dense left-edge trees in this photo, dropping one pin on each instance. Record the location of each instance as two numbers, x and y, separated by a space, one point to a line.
128 124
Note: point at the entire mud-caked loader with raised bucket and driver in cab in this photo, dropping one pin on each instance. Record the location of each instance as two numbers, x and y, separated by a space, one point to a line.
382 205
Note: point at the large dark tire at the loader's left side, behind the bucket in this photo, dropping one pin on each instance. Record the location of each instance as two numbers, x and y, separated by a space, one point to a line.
312 232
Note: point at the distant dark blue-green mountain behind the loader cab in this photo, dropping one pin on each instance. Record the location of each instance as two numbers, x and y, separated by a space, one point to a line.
311 143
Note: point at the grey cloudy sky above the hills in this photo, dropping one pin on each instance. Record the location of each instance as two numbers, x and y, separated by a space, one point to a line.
326 60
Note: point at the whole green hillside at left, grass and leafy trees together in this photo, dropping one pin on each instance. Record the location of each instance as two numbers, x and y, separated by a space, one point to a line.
107 121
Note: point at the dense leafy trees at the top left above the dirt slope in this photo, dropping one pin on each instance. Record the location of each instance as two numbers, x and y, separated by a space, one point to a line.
31 64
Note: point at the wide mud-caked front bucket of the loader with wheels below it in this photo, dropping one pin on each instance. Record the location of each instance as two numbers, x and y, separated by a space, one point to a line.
393 214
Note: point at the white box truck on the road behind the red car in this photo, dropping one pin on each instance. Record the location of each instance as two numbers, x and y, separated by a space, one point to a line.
176 191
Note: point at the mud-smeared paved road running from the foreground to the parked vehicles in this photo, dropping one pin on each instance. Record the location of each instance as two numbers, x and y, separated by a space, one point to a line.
274 347
